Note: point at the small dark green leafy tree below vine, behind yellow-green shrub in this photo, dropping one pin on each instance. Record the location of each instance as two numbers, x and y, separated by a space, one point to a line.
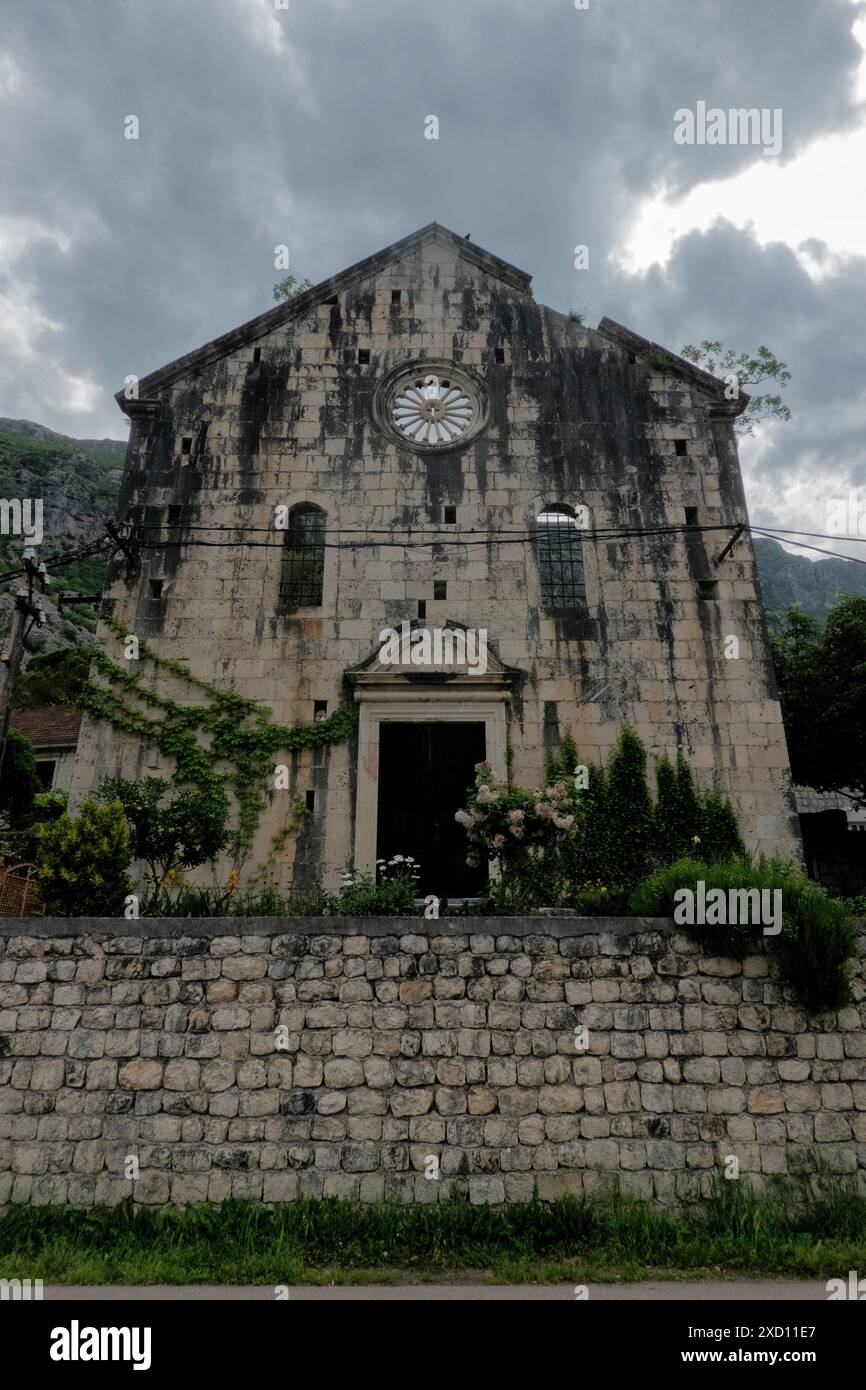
183 833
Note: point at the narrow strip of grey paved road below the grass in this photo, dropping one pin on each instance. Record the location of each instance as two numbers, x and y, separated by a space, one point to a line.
704 1292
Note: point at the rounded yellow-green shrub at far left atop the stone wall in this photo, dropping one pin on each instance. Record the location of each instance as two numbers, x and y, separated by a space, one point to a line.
84 862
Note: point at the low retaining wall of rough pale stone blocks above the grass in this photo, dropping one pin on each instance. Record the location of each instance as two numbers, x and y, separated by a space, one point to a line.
266 1060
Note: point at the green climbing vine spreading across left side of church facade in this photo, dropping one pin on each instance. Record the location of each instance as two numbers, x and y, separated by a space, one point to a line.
240 732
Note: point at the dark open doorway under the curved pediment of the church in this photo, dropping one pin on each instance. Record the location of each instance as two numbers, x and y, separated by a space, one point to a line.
425 775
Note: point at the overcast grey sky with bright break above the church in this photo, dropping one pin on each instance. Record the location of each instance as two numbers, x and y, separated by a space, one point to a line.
305 126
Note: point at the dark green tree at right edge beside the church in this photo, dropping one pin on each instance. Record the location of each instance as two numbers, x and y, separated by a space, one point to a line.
822 687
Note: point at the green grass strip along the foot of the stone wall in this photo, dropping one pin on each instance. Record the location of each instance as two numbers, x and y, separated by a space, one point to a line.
785 1231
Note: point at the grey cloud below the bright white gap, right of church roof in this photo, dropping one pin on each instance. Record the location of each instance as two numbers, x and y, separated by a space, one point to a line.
724 286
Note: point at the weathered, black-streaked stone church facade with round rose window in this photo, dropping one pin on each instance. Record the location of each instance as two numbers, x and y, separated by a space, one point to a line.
416 447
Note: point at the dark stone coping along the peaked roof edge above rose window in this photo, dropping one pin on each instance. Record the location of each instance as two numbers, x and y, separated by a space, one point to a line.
301 305
